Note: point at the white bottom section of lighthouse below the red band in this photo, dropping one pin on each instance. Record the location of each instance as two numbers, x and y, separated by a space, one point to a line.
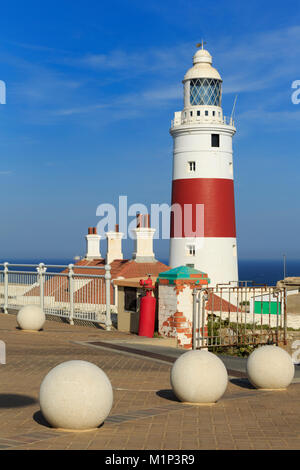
215 256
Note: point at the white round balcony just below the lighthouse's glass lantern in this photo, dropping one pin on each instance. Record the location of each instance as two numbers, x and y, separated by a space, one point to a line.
203 116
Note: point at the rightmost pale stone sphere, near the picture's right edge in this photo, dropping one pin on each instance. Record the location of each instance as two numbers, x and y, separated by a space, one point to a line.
270 367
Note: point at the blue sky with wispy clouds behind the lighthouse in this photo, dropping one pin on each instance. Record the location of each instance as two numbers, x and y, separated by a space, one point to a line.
91 90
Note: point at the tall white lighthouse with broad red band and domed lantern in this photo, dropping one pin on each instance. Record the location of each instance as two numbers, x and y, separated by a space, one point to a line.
203 231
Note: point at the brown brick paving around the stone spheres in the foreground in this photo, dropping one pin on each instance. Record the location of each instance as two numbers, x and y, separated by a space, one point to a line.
145 414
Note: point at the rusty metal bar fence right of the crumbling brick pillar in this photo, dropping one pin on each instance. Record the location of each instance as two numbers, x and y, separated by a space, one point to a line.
228 315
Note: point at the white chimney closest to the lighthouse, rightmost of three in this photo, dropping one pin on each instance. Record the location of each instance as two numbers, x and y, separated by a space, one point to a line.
143 240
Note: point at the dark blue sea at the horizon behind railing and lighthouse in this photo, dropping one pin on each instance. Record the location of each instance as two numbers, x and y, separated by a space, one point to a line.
259 271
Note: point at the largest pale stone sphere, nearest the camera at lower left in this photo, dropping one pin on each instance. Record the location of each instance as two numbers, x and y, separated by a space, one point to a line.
76 395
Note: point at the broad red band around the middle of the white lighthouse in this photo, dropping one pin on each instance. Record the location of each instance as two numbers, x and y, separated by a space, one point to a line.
217 196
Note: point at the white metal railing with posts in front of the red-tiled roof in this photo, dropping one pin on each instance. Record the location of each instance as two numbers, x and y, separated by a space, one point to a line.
68 293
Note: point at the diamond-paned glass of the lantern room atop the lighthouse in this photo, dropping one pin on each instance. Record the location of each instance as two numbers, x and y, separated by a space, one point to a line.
205 91
